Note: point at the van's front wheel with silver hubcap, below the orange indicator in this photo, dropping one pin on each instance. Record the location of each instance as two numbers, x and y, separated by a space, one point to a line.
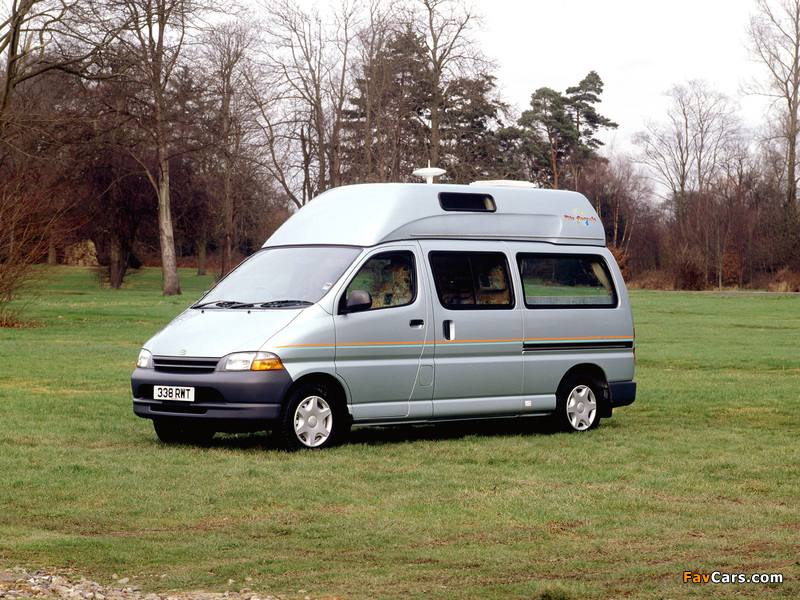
313 418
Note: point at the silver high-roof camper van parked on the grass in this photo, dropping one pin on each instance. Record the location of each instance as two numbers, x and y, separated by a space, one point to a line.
383 304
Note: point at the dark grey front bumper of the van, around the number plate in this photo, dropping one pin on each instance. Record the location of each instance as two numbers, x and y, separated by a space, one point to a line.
233 400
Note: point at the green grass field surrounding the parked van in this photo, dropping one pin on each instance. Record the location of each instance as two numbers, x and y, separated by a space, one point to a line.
700 474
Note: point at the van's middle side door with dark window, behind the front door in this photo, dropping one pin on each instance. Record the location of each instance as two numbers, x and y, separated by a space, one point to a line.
477 329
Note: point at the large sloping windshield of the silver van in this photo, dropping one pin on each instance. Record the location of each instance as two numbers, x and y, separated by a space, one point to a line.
281 278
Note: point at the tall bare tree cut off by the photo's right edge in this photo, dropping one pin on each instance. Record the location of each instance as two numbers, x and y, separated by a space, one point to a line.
774 39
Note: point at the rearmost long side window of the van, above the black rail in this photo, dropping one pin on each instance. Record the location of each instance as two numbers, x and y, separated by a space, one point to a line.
566 280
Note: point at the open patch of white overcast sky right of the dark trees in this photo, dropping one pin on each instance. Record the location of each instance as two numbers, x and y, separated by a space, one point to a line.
640 48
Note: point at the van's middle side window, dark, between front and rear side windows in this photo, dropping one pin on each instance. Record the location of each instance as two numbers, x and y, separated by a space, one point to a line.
472 280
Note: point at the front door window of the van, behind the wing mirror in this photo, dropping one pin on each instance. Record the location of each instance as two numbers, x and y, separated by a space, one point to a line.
389 279
